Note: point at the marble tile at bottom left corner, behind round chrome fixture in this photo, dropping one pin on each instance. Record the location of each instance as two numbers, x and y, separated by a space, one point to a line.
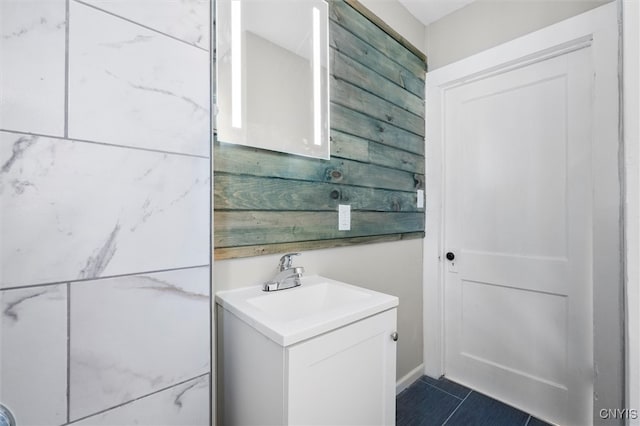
33 361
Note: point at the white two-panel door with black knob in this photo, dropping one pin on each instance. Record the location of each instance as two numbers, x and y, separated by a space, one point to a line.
518 219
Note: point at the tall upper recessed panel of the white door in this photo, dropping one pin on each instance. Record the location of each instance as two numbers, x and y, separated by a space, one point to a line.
517 167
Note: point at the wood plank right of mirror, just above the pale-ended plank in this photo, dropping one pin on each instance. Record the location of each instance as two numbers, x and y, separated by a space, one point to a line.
355 123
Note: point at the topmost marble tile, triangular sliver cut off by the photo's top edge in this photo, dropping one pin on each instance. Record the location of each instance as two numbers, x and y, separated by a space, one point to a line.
186 20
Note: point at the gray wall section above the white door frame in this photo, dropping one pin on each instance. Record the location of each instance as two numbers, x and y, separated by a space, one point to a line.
488 23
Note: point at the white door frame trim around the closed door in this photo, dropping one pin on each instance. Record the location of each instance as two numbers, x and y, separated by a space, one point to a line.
598 28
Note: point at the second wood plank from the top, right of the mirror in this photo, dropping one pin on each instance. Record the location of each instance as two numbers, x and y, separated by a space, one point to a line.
345 42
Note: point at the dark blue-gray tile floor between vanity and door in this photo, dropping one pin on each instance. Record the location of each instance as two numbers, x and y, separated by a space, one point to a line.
431 402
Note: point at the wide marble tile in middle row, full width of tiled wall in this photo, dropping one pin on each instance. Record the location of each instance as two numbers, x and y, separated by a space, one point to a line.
76 210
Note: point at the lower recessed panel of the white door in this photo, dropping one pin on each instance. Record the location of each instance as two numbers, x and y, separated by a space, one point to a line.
514 345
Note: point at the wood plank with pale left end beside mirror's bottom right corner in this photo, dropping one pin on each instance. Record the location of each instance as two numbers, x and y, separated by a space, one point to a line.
352 147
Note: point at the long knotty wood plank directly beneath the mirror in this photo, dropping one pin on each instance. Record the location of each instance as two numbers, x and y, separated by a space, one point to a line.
256 162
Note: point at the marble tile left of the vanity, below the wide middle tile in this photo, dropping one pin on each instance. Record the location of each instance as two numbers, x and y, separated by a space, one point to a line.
134 335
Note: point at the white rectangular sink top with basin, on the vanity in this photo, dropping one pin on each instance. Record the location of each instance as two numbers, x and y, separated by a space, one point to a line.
317 306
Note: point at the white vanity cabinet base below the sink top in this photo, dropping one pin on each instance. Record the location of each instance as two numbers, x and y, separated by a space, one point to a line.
345 376
